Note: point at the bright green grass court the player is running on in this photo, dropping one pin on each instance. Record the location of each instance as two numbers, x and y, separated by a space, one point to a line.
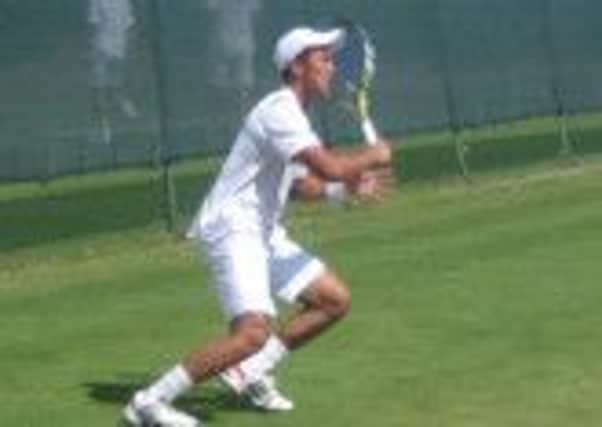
475 304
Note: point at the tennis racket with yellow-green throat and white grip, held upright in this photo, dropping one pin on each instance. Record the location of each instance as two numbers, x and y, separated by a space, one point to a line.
355 62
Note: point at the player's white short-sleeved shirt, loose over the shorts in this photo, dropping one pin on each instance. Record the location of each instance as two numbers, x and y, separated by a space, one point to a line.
252 188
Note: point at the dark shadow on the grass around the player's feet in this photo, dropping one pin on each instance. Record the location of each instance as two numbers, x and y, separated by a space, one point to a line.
204 403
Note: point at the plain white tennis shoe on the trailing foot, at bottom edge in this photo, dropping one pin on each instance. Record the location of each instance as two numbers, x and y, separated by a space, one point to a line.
144 412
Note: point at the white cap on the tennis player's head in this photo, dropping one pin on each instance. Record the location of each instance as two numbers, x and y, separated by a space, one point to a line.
296 41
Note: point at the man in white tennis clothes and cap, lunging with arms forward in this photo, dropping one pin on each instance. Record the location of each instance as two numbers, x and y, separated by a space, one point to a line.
238 228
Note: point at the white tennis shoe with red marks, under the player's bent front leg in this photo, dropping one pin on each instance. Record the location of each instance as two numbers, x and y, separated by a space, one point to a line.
262 393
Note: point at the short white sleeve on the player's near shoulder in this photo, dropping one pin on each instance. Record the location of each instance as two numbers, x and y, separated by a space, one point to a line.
287 129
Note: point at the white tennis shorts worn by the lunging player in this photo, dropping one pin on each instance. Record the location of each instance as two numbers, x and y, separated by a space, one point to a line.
250 273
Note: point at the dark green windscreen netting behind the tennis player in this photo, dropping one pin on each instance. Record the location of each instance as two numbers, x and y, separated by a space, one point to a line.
101 84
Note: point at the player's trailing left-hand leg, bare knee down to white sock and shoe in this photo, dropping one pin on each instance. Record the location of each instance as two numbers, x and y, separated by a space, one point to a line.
248 334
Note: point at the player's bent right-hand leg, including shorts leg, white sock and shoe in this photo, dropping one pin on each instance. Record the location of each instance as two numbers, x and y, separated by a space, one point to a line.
296 277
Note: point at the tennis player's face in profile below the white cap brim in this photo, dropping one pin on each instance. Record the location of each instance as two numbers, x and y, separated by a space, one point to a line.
314 70
